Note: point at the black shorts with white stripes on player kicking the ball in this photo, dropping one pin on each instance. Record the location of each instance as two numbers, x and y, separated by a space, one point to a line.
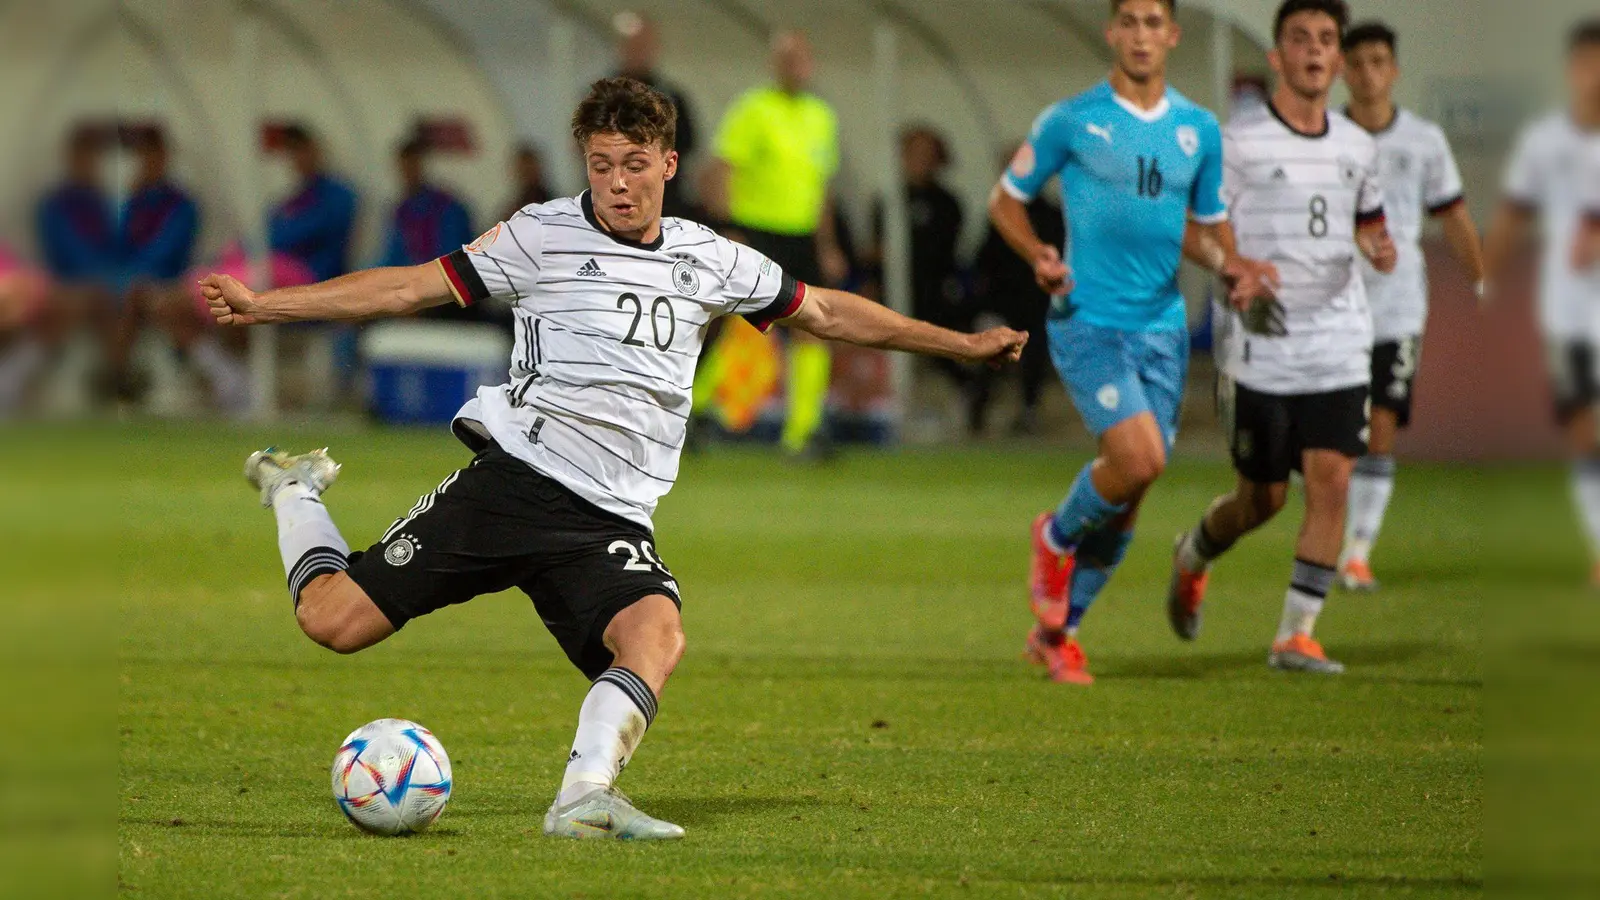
498 524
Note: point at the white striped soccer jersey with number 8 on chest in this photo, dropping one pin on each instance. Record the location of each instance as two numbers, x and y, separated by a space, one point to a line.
1297 203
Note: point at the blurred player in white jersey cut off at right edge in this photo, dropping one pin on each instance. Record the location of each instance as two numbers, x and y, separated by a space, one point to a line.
1543 182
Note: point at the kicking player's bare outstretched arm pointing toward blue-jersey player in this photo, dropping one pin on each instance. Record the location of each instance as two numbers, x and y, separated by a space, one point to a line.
842 316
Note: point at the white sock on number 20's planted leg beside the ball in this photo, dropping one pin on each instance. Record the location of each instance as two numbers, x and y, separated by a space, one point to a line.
610 725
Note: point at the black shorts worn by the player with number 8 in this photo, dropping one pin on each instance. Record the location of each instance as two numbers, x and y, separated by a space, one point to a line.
1270 433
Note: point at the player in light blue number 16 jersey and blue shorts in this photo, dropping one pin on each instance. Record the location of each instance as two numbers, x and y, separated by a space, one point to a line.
1142 177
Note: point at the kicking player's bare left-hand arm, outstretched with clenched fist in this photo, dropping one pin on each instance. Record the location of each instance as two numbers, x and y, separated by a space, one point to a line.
370 294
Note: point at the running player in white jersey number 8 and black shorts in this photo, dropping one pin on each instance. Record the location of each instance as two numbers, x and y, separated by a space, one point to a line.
1303 187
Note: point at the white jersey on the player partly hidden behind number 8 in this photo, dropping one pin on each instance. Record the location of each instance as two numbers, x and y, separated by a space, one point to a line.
1420 179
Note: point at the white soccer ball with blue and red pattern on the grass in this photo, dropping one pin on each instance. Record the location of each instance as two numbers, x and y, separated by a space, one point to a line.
391 777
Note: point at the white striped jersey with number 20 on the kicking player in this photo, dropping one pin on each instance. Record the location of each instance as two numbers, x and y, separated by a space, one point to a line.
609 332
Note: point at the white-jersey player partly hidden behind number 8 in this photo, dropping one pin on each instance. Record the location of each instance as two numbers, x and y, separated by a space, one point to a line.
1420 180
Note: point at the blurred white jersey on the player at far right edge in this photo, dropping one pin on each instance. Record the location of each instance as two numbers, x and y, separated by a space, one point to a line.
1543 177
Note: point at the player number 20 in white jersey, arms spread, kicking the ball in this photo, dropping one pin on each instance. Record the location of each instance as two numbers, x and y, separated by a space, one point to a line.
612 305
